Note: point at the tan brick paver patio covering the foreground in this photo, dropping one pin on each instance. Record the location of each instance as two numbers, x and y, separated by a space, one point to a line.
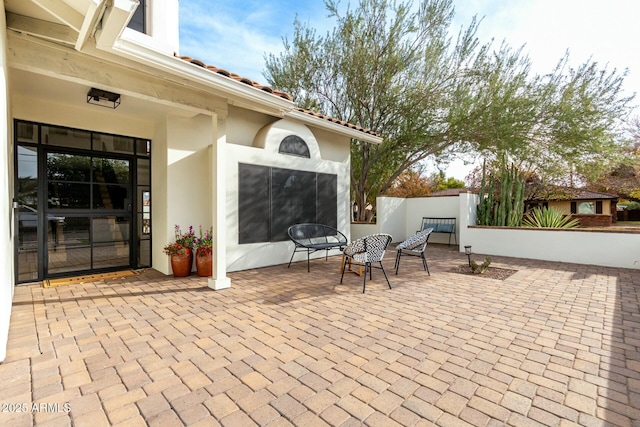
554 344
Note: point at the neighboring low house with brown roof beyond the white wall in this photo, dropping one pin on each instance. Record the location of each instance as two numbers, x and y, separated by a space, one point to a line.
592 208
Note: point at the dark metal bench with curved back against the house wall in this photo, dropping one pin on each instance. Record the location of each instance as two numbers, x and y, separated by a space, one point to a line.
315 237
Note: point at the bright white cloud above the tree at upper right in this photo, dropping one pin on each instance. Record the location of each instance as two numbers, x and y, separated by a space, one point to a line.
604 32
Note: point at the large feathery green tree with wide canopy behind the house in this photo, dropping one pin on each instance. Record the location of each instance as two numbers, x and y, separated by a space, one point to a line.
401 74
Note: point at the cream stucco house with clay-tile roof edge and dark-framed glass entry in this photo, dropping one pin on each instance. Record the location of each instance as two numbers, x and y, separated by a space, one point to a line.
110 139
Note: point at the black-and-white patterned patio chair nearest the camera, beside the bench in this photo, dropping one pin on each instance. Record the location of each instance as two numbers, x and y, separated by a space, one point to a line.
366 251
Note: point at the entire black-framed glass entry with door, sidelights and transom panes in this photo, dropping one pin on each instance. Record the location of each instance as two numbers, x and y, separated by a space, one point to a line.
83 202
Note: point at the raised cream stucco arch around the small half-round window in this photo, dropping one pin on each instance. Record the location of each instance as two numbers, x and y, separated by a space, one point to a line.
270 137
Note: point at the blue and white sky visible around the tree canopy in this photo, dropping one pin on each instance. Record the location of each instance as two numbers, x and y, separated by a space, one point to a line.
236 35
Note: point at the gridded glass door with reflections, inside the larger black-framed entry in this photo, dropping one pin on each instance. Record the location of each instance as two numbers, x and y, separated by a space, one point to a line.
89 212
